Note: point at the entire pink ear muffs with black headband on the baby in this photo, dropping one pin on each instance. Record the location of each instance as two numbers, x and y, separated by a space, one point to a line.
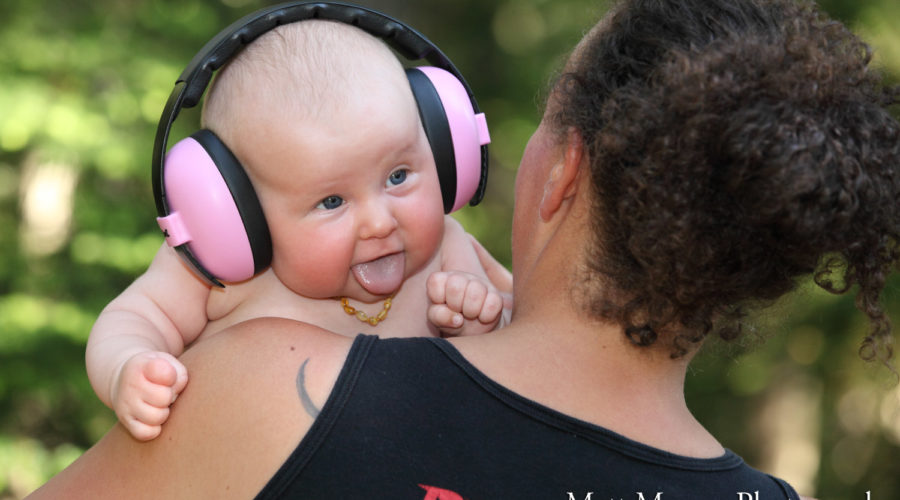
207 207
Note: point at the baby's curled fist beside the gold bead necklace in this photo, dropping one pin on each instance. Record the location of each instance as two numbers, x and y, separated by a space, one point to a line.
462 303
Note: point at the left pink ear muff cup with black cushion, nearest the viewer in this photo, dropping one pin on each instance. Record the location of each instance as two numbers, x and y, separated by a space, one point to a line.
215 217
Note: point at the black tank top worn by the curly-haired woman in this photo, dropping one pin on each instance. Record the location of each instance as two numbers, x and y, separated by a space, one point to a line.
412 419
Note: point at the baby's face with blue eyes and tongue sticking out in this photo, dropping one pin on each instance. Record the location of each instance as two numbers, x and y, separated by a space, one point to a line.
351 197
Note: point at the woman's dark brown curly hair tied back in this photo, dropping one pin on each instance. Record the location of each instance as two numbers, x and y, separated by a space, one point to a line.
735 146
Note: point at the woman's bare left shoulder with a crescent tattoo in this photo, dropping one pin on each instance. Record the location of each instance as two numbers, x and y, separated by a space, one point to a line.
242 413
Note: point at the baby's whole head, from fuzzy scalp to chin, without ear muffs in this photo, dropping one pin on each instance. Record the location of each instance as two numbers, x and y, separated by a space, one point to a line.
321 116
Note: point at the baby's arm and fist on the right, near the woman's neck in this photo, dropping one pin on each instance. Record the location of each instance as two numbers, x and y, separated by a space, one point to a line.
472 293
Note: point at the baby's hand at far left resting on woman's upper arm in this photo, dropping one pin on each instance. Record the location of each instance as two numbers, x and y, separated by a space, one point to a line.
143 390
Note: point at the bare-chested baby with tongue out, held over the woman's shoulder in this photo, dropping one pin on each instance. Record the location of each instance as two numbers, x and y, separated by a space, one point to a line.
322 117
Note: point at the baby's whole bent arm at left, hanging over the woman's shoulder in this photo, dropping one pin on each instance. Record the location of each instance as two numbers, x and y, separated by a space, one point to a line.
131 352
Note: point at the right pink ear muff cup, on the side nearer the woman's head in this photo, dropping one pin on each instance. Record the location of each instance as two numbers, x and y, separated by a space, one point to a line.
455 131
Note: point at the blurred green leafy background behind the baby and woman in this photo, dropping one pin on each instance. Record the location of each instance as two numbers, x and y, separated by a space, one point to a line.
82 85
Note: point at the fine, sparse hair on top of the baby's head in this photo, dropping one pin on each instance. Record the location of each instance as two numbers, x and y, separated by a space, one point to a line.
305 71
